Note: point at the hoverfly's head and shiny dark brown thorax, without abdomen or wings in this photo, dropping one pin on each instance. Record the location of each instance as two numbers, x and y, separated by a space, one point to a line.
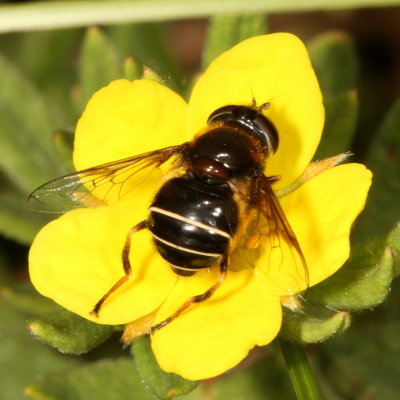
236 142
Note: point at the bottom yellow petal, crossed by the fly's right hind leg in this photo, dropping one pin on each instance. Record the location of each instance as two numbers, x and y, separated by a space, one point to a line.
212 336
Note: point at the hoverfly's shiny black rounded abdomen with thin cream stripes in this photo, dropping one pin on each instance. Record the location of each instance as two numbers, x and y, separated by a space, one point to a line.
191 224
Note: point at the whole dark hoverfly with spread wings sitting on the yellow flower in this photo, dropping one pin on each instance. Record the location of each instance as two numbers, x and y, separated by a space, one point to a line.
196 217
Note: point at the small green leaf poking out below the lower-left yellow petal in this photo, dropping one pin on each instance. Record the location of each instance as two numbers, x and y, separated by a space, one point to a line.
69 332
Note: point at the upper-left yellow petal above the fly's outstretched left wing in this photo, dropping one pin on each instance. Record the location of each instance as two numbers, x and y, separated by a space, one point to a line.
128 118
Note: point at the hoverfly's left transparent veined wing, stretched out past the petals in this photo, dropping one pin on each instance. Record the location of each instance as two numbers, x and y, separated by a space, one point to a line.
104 184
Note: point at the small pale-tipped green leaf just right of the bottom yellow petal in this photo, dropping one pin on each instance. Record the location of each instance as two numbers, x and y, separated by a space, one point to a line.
312 324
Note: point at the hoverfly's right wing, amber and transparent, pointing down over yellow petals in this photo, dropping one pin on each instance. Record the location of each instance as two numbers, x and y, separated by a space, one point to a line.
283 262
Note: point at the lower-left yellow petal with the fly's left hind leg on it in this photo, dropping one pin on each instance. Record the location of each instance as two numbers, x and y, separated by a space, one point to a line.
76 259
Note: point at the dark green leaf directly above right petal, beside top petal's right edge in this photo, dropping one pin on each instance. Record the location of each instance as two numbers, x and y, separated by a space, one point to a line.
340 123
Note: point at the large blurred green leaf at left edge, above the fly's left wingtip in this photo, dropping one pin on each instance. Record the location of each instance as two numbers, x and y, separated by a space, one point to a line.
26 122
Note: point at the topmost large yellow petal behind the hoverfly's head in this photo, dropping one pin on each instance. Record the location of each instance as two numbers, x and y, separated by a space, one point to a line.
274 68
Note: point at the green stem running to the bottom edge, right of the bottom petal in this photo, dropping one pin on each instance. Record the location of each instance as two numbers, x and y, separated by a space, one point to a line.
300 371
